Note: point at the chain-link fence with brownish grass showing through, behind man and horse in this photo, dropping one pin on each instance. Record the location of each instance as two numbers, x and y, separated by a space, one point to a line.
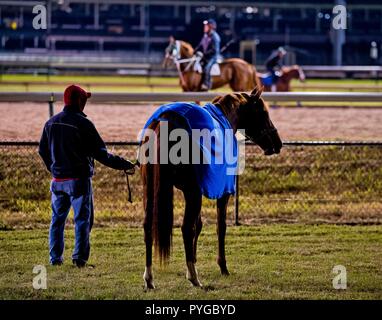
310 181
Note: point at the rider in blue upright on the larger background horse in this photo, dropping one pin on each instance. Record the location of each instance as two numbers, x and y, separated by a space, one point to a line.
210 47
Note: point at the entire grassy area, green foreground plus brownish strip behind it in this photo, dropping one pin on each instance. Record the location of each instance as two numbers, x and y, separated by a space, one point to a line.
268 259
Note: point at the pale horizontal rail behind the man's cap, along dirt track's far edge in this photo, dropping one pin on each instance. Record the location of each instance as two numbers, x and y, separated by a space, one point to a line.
128 98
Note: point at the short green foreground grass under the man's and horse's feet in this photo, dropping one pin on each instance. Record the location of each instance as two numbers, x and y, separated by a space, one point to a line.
266 262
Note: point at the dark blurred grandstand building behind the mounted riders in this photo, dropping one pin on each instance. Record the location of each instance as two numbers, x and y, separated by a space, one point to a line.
138 31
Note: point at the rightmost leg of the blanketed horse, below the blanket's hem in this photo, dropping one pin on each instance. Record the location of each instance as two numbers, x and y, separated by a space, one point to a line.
221 230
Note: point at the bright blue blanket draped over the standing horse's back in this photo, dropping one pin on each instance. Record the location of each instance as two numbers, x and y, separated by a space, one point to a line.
217 177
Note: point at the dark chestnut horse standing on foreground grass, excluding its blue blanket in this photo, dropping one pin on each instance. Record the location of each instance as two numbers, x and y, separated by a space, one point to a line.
243 111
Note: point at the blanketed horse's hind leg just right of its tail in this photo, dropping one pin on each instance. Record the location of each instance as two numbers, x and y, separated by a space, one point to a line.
192 213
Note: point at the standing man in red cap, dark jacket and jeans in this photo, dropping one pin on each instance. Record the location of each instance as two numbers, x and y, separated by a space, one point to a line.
69 144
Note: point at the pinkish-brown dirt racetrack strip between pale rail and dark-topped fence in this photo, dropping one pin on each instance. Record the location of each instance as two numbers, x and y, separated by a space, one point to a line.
24 122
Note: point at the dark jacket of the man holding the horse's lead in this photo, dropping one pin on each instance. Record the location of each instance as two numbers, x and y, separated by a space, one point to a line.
70 143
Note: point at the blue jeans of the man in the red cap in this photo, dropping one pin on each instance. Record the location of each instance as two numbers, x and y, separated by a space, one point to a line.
79 194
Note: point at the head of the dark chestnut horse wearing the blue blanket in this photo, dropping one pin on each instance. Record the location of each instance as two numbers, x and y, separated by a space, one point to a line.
252 118
